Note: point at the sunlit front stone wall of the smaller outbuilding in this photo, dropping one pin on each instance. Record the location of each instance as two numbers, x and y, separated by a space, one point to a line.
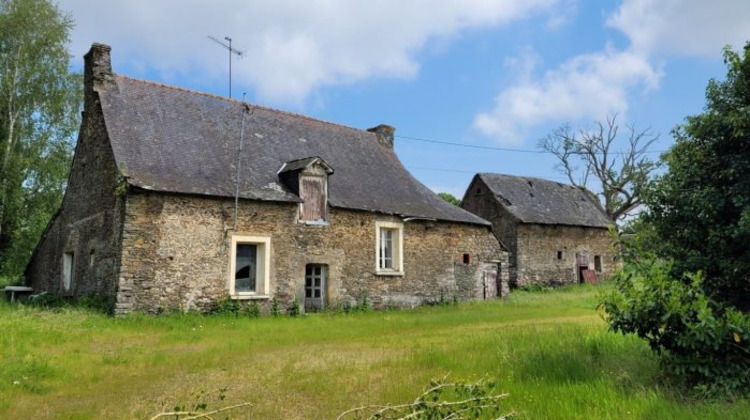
538 247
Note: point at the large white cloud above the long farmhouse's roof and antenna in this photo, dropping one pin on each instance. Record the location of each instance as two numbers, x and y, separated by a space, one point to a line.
291 47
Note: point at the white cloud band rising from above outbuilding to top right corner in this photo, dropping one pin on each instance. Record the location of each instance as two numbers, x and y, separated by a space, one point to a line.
592 85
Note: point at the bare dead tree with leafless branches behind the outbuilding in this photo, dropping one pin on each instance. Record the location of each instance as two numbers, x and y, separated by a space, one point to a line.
594 158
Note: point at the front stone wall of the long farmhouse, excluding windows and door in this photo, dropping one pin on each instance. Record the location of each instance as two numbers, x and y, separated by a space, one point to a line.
176 254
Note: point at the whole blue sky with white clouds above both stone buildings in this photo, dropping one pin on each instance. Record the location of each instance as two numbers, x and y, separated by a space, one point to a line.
480 72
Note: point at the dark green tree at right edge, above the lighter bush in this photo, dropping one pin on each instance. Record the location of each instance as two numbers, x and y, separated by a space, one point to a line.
700 209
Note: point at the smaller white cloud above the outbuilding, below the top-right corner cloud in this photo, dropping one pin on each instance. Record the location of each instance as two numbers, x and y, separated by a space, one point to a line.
586 86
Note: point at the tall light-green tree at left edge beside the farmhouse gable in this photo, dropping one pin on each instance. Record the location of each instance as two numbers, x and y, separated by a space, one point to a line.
40 102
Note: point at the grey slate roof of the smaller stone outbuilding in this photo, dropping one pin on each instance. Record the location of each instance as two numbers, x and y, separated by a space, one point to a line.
536 200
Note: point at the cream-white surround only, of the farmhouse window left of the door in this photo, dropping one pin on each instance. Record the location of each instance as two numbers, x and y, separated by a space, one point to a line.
263 267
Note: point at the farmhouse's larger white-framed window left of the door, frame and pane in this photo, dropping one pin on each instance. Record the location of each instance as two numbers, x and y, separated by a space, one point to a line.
250 266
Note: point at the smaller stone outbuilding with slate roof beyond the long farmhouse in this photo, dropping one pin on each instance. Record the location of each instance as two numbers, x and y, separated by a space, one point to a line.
556 233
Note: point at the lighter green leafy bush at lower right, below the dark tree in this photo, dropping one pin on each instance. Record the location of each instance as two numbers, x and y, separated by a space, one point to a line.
702 343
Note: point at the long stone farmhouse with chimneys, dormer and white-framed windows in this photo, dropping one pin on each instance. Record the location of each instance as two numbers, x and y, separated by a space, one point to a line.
177 199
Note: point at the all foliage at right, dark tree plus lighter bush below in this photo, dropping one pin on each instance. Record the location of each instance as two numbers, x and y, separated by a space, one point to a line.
685 286
